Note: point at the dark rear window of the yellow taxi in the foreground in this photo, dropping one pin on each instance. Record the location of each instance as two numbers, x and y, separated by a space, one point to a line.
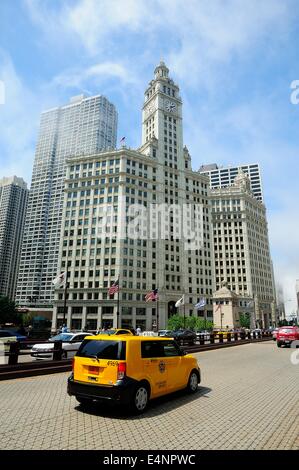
103 349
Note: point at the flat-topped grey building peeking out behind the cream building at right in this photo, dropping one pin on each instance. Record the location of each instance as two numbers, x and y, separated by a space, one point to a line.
221 177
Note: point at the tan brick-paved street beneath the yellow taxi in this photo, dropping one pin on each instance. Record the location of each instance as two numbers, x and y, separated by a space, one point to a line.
248 399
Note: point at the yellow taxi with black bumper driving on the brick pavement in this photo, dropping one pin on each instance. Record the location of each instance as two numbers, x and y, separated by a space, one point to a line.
130 370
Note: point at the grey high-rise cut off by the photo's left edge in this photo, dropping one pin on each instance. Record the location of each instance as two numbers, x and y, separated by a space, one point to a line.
13 203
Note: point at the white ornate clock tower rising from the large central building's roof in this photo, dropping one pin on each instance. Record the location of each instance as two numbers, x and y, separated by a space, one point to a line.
162 133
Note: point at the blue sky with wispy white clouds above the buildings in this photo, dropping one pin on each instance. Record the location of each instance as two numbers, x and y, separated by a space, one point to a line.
233 60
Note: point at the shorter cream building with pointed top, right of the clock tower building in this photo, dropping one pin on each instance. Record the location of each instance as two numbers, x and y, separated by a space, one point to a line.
241 247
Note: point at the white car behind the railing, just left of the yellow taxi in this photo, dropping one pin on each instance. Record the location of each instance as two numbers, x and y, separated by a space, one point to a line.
70 345
